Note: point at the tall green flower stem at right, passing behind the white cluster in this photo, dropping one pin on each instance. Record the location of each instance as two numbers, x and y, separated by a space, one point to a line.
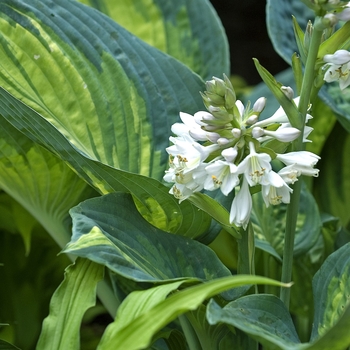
293 207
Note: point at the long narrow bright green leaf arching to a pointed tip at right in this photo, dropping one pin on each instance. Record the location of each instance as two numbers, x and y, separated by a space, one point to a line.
150 322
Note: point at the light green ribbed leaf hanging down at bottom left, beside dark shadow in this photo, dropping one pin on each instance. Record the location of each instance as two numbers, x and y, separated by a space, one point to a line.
73 297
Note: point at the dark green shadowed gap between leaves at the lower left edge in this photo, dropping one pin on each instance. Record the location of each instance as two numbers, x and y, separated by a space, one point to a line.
28 282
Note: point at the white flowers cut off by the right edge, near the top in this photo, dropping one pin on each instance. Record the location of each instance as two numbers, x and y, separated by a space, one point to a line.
338 68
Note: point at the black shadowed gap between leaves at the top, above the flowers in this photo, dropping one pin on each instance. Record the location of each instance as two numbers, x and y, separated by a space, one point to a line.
244 22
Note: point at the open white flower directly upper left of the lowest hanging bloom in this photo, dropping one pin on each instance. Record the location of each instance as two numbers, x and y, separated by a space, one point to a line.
223 174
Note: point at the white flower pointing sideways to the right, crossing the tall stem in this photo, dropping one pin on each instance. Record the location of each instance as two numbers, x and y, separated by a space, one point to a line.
302 162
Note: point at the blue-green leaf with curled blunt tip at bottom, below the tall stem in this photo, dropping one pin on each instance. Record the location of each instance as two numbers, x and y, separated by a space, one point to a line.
264 317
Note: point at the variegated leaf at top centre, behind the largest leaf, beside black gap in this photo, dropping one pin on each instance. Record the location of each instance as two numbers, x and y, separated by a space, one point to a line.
175 27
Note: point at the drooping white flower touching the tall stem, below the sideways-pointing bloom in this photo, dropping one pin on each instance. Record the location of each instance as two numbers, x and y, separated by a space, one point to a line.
277 191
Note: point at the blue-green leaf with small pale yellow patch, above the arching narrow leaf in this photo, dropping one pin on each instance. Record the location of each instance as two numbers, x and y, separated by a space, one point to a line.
110 231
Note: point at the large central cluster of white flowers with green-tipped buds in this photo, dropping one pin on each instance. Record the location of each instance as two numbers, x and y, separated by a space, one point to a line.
227 148
